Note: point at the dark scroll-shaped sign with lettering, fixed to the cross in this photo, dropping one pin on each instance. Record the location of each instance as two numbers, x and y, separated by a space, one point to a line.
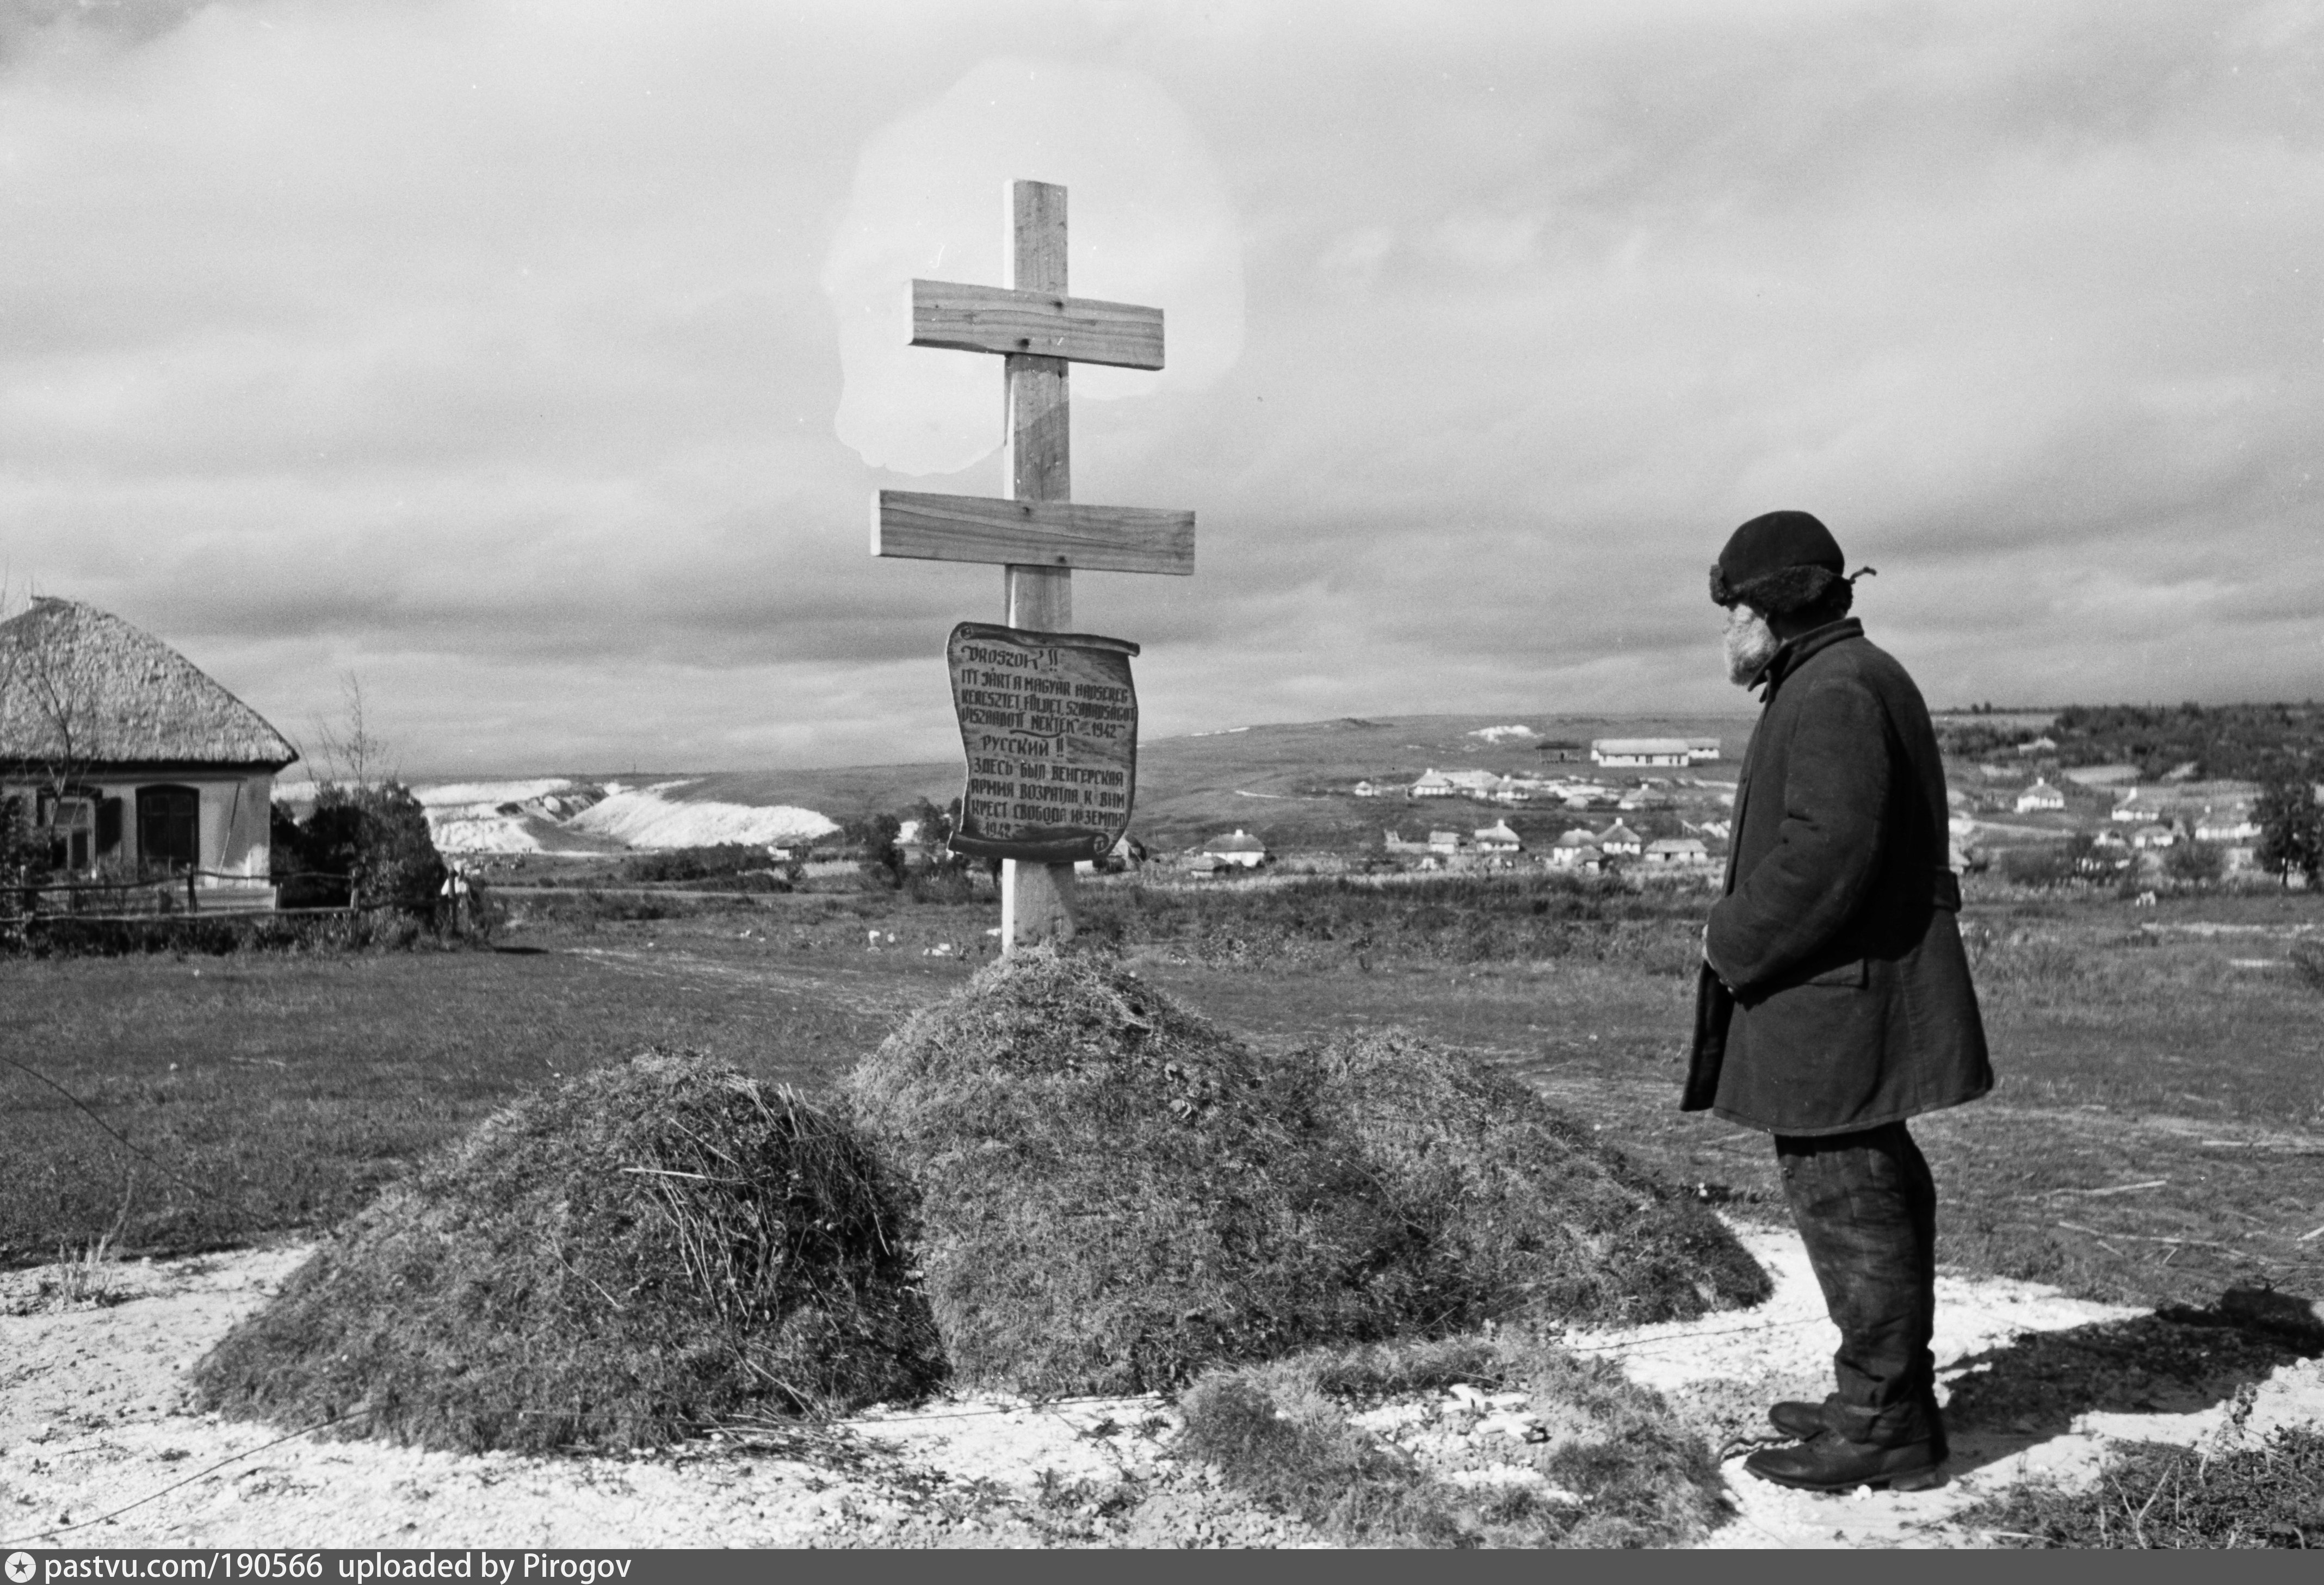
1052 731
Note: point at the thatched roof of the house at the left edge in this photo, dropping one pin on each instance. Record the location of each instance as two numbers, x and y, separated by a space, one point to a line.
80 684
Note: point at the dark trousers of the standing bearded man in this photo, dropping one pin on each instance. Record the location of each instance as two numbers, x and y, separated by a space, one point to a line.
1867 1212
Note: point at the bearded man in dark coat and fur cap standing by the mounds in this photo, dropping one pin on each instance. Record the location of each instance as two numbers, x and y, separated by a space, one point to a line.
1835 996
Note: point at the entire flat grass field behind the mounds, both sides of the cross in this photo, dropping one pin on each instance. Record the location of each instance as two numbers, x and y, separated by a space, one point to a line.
2158 1128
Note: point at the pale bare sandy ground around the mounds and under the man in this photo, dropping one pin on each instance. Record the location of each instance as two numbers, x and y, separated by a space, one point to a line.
96 1447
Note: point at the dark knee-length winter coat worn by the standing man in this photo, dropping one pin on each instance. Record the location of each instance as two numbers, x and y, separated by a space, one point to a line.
1837 994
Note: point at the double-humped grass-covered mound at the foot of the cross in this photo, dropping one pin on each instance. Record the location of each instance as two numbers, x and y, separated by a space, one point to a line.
1112 1193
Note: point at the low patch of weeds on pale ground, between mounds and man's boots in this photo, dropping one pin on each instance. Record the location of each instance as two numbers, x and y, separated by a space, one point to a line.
1609 1468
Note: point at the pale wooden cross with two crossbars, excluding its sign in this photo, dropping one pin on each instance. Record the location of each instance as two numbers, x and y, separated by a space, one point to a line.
1038 531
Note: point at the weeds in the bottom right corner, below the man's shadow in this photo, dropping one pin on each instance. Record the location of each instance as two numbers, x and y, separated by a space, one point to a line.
2156 1496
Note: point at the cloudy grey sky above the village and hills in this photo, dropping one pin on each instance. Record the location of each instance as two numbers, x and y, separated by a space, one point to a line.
536 361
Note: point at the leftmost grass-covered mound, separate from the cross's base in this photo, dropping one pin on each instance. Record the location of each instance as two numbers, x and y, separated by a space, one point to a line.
619 1261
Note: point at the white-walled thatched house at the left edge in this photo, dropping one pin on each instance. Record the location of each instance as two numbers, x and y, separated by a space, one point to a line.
134 761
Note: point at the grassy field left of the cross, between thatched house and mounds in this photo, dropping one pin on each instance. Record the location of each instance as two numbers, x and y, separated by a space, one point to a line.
264 1093
